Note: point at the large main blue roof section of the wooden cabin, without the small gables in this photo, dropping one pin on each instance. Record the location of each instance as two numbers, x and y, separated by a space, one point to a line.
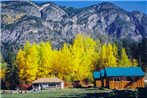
129 71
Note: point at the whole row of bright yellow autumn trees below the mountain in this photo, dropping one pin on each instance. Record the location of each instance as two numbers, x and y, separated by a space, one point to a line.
74 62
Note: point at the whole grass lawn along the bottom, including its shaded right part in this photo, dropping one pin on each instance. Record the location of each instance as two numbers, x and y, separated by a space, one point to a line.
68 93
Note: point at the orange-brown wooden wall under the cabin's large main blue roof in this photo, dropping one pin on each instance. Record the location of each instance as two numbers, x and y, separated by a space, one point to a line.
126 84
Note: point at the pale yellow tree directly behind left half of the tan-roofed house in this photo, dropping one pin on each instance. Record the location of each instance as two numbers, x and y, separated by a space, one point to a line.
45 58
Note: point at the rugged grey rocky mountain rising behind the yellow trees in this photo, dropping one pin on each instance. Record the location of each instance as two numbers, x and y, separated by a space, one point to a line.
25 20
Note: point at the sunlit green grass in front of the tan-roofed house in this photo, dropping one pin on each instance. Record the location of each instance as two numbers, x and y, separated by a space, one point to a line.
59 93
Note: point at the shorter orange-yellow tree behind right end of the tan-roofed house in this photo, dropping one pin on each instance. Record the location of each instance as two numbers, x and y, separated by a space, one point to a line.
62 63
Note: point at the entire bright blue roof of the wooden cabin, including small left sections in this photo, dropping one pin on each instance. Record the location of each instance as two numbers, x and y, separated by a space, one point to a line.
119 71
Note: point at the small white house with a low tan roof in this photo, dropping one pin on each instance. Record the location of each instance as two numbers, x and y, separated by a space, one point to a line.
47 83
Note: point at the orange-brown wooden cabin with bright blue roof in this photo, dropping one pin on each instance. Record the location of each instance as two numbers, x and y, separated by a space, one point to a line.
120 78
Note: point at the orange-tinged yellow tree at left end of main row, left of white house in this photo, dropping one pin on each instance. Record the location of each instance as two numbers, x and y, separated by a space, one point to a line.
27 61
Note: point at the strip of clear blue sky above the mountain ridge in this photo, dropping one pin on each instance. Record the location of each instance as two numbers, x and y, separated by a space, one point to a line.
128 5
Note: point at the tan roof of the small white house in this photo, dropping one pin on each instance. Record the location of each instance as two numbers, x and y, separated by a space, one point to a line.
47 80
